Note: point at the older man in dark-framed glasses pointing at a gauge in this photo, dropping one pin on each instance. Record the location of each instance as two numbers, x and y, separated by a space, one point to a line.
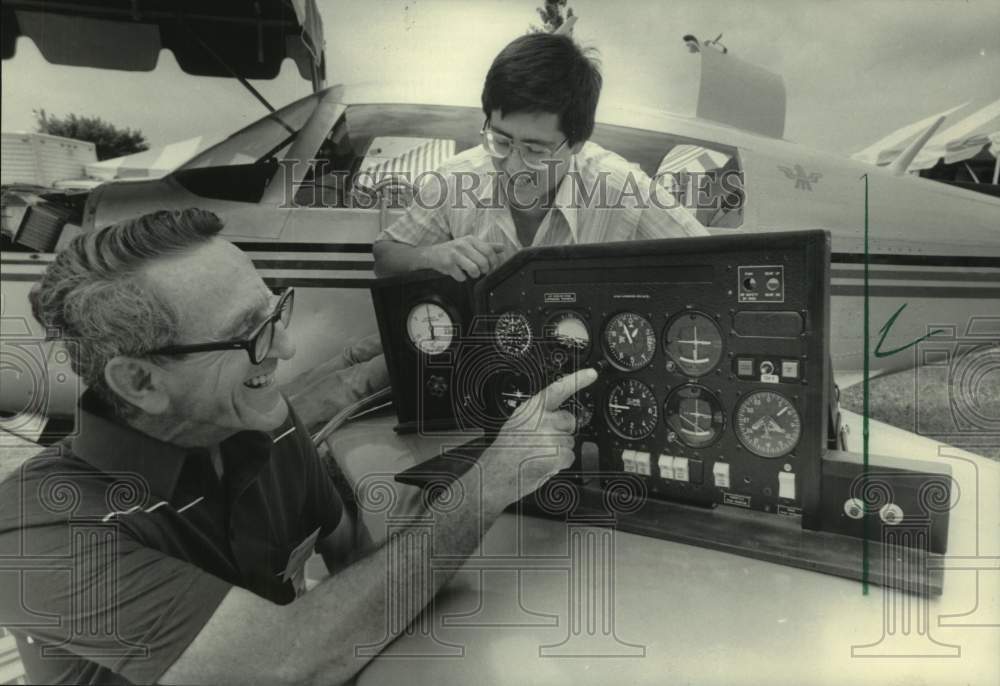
165 542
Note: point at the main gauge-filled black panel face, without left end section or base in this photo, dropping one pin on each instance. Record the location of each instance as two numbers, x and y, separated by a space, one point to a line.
715 379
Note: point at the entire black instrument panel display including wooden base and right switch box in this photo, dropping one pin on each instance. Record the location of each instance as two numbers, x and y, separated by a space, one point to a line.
714 389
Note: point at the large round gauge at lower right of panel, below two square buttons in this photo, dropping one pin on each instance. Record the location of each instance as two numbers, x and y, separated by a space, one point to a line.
767 424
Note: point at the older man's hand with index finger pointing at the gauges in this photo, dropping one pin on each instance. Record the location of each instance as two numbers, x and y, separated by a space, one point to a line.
534 444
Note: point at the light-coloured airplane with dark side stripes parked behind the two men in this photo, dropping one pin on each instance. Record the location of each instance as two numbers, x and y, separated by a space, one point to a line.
294 191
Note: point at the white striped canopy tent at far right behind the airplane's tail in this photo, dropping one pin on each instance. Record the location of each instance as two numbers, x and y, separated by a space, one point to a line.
968 136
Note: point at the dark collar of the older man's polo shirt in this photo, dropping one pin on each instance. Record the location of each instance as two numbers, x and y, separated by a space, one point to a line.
112 446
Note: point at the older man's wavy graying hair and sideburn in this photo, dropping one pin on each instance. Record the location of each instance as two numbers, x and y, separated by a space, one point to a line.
92 294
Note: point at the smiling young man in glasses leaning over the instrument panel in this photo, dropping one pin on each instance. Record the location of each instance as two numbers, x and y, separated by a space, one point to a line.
536 180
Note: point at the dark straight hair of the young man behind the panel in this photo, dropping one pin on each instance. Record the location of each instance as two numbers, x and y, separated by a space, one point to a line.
543 72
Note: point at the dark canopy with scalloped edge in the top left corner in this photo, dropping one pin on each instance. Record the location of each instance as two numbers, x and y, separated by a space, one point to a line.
247 40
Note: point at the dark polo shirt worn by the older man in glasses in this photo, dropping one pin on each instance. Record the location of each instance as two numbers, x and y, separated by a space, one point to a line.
116 548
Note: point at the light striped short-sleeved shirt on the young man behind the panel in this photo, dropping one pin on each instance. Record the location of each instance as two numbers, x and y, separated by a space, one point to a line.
602 198
